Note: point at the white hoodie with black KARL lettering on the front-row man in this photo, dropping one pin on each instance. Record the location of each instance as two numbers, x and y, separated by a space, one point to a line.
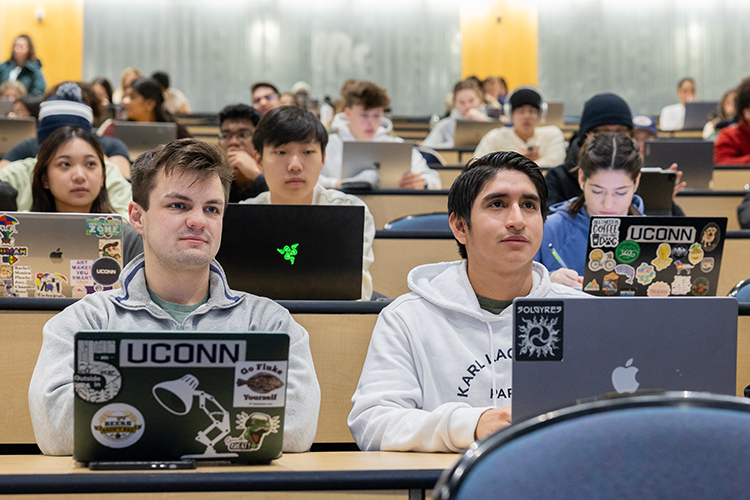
434 359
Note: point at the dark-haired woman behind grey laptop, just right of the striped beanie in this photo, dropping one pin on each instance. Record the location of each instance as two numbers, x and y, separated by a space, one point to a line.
144 102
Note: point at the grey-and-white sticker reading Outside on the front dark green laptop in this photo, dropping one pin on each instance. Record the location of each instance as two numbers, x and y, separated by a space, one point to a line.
95 380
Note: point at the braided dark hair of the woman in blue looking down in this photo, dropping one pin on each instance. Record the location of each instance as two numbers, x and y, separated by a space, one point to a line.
607 151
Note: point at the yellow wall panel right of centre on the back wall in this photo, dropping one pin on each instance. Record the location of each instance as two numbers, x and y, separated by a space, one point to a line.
508 48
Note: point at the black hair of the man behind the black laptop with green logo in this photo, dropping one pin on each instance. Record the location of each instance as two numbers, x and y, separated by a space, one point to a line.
289 124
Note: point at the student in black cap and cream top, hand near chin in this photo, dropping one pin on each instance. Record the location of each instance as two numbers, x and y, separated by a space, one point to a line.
525 107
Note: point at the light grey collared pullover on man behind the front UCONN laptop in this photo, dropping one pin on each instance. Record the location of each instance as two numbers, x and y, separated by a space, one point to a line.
131 308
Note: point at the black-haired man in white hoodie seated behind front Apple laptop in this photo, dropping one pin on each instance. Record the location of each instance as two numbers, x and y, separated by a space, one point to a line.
438 371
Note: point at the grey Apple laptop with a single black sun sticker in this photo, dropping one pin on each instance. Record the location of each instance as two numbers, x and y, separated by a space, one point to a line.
572 349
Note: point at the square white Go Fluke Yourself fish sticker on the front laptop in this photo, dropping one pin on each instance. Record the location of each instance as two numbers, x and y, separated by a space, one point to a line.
259 383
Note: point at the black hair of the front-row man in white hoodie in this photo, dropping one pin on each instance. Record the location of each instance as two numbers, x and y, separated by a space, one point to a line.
479 171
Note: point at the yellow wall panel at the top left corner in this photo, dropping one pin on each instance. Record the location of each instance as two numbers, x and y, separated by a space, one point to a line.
58 38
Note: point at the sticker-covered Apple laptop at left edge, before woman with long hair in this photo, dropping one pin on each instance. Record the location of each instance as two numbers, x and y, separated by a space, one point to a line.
55 255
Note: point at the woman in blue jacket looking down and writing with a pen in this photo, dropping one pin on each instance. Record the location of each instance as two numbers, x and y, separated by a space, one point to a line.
609 170
